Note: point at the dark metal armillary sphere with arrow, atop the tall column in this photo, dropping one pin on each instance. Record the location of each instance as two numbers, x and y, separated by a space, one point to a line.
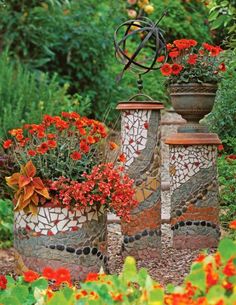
150 40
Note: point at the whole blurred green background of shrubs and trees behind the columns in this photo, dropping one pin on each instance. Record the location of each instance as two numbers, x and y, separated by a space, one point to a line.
58 55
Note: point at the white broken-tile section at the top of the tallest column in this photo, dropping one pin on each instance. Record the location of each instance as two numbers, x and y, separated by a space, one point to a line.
134 132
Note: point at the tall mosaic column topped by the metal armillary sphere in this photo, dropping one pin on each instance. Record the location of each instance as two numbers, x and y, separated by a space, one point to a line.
140 135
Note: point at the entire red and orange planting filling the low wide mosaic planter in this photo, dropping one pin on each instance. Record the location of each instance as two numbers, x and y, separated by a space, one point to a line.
59 163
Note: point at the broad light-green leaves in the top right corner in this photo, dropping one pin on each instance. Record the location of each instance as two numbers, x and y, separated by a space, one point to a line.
223 20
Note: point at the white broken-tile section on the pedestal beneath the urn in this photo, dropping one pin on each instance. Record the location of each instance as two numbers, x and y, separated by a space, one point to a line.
188 161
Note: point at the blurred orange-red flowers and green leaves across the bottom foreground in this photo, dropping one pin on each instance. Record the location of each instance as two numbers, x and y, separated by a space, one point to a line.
212 280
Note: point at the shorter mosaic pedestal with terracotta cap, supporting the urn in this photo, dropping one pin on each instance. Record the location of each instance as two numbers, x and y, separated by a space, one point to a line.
194 190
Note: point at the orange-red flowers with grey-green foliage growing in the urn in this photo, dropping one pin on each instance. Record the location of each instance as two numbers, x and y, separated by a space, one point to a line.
189 63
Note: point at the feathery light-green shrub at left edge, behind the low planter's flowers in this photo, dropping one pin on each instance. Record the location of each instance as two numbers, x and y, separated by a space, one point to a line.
28 95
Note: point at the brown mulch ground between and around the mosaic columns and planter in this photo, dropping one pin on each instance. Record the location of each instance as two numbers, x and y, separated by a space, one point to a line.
171 268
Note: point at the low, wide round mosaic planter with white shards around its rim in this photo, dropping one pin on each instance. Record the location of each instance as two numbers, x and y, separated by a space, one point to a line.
57 237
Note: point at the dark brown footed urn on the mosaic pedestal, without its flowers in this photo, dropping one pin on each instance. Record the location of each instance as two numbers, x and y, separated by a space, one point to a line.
193 101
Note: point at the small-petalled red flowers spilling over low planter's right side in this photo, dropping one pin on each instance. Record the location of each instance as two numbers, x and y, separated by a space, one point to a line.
106 185
